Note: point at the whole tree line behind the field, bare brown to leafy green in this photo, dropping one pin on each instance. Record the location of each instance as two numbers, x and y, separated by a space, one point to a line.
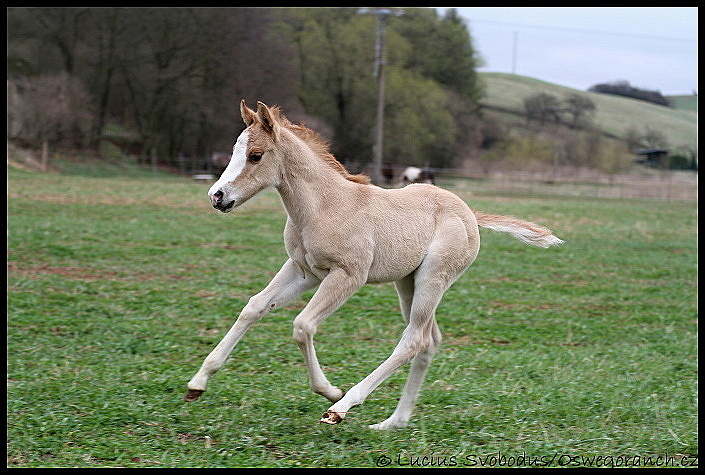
168 81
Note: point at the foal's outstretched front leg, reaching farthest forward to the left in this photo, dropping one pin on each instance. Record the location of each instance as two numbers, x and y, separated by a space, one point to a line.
289 283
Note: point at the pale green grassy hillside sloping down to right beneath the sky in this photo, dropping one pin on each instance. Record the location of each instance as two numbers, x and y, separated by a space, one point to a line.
614 115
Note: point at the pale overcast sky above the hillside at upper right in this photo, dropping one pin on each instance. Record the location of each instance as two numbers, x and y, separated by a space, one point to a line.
654 48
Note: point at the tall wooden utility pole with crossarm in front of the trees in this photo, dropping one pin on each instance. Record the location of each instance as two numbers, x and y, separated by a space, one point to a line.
382 15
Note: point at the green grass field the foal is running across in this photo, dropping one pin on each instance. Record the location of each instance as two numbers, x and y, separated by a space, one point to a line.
119 287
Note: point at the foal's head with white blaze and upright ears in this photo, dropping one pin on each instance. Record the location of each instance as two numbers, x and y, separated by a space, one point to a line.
255 163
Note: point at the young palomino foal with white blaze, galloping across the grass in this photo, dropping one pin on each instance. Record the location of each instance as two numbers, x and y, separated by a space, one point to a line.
342 232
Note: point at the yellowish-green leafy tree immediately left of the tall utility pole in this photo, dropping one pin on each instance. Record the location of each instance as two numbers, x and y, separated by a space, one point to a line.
335 60
